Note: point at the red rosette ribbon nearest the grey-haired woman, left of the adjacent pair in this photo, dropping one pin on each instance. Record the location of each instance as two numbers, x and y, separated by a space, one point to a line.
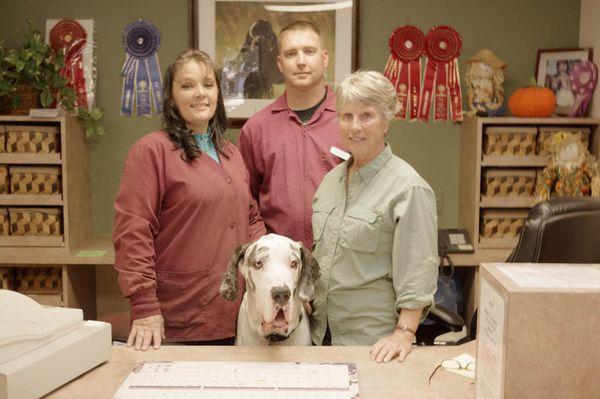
403 68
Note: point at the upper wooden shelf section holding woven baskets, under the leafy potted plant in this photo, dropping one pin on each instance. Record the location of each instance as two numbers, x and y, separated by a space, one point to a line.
62 149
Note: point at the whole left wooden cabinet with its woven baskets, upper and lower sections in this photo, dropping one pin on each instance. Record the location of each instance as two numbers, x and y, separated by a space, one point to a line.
61 152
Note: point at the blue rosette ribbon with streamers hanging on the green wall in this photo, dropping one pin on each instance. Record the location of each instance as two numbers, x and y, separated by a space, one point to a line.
142 81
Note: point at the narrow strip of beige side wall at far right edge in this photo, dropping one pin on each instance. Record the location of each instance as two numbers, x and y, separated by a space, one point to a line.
589 36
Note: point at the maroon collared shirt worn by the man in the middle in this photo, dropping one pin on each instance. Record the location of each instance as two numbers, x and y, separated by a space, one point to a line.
287 160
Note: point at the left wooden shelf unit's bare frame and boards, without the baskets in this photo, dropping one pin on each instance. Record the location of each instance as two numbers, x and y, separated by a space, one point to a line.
78 274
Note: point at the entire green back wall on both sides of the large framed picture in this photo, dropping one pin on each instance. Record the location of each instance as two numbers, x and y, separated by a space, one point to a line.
513 29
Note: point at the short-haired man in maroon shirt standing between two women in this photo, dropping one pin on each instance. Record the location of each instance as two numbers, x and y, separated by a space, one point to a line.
286 146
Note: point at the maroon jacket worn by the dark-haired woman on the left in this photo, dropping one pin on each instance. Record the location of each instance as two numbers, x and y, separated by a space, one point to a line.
176 225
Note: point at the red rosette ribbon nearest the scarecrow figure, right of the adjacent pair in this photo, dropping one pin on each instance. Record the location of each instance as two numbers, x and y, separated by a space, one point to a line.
444 45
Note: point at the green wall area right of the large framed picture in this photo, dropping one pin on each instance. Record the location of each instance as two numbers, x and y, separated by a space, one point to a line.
513 29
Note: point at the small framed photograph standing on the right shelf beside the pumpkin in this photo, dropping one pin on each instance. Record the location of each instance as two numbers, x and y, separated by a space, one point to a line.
552 70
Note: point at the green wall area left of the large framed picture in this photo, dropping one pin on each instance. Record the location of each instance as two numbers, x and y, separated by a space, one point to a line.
111 16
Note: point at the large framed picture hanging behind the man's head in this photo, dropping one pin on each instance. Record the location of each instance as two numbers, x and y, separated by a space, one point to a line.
241 38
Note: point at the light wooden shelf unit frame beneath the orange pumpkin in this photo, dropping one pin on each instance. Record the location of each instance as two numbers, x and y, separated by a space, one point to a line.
472 162
